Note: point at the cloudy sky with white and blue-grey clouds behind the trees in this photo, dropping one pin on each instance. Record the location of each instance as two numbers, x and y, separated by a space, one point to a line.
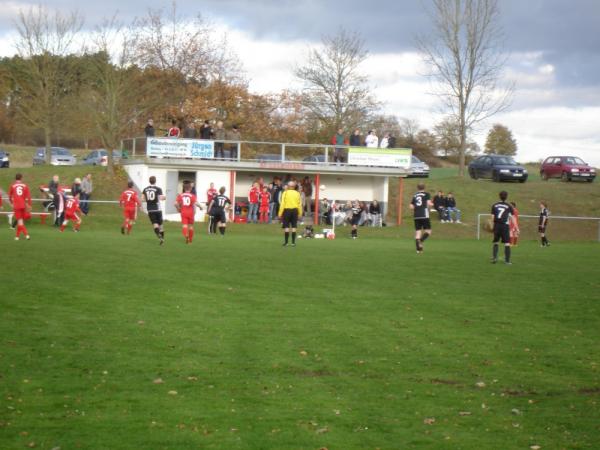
553 46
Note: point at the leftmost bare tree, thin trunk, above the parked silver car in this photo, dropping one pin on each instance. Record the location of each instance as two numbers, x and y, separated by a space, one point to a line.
44 41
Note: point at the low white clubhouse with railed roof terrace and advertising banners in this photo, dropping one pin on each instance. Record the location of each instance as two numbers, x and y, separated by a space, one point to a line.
364 175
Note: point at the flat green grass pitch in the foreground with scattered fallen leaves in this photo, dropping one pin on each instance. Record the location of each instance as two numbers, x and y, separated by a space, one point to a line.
333 344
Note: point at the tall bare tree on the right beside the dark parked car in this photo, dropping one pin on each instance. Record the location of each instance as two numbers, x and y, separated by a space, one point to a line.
465 59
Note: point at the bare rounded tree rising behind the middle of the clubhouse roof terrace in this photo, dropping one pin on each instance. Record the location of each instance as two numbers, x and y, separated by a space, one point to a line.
335 91
